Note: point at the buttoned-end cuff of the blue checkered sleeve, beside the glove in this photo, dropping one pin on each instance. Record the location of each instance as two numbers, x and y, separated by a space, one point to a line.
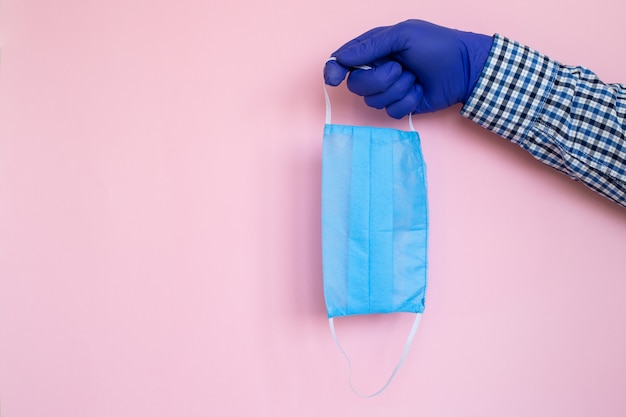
514 84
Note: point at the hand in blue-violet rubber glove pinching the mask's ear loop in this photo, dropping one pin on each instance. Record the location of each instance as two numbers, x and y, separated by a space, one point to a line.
416 66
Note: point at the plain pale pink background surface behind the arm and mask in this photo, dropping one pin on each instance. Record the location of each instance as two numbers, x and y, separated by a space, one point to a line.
159 222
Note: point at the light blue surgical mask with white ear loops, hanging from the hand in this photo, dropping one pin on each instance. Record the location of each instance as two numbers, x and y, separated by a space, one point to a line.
374 224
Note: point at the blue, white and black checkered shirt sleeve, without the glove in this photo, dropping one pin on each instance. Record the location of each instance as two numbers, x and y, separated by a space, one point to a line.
564 116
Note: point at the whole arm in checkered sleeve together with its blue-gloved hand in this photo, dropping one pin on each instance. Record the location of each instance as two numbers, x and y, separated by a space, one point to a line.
564 116
